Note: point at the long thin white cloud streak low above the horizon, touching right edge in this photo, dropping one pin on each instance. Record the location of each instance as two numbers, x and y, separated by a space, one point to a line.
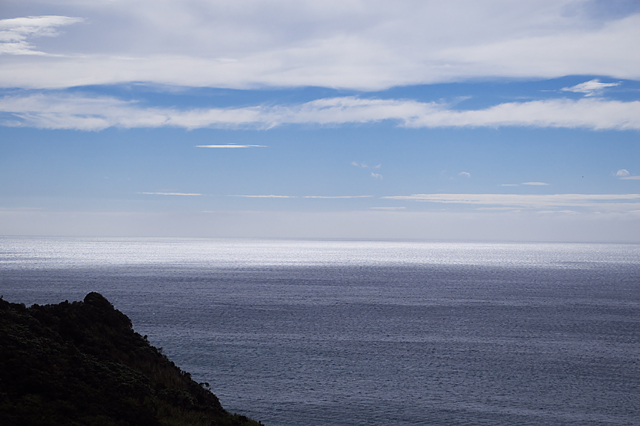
625 202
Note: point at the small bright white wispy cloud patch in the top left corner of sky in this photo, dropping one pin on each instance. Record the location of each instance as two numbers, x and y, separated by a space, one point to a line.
15 32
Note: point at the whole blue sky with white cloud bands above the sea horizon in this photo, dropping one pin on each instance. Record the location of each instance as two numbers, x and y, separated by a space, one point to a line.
463 120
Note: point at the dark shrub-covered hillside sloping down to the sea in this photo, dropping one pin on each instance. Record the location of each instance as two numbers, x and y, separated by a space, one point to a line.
81 363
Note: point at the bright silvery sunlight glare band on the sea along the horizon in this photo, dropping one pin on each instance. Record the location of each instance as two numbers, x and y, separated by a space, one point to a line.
66 253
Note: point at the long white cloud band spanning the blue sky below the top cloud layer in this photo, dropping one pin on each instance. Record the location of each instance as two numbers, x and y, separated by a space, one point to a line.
55 111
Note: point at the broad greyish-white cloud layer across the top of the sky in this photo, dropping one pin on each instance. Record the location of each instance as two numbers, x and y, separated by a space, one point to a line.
333 43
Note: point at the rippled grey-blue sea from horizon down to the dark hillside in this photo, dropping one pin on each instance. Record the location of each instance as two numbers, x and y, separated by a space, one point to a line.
370 333
